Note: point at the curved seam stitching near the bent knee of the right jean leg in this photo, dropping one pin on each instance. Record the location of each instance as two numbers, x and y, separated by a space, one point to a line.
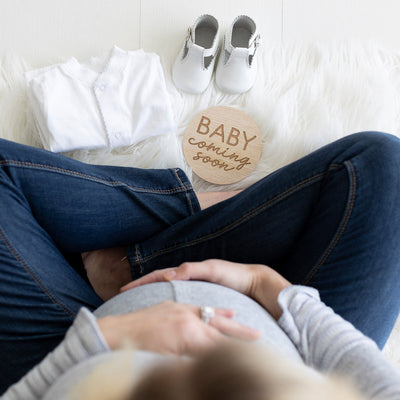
342 226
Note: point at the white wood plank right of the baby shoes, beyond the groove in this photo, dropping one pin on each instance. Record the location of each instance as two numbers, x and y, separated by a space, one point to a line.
310 20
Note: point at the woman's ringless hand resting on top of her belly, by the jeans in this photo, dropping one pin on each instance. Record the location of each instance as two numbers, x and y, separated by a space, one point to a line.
259 282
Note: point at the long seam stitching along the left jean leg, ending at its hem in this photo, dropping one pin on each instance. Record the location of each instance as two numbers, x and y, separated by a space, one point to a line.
89 177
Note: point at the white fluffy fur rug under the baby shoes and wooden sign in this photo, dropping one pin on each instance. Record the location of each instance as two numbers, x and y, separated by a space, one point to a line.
305 96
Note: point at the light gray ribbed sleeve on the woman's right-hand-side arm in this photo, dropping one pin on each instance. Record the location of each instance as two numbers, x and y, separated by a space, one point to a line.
330 344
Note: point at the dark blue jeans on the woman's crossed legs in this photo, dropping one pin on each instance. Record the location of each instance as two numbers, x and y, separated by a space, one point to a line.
331 220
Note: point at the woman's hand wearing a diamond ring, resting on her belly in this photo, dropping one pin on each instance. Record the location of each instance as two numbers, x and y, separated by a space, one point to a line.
172 328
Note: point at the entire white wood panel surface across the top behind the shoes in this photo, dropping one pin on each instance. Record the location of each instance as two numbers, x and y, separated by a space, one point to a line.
45 30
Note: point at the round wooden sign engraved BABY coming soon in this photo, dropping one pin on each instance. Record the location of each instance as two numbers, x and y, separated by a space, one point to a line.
222 145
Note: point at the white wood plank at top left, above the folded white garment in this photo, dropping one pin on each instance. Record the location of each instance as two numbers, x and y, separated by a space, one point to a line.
43 30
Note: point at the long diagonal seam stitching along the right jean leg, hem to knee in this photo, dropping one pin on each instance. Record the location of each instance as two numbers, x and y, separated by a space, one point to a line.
245 217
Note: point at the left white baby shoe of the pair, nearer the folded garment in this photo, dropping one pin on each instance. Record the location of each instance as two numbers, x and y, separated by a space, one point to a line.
194 65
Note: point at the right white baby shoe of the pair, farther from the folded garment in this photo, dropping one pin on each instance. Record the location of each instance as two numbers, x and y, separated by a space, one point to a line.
237 64
